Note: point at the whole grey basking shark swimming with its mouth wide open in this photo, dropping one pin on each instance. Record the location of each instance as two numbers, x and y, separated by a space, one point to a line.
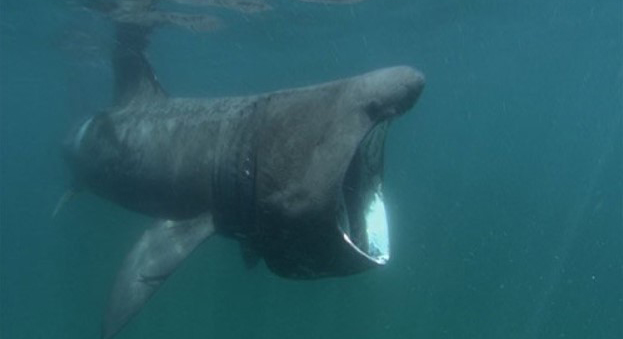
296 176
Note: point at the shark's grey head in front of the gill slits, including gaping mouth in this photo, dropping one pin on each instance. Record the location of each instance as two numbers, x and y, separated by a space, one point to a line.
319 184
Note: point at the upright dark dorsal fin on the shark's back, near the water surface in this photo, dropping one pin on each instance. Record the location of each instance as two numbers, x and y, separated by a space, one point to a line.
134 76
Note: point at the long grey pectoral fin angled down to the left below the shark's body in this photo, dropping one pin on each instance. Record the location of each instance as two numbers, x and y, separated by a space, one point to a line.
156 255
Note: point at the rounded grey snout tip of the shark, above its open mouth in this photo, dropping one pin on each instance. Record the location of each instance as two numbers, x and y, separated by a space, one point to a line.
391 91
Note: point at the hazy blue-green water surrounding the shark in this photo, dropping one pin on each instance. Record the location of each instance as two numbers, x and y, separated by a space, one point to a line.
504 183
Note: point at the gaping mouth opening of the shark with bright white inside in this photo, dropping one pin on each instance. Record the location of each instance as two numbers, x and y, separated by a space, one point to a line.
362 219
